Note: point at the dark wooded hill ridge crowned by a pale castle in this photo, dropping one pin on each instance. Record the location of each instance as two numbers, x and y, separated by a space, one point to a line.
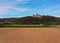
31 20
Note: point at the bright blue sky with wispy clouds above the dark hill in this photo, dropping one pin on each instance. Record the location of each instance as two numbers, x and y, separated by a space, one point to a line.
20 8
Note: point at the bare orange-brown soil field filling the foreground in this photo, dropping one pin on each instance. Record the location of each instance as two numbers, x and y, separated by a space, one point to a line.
29 35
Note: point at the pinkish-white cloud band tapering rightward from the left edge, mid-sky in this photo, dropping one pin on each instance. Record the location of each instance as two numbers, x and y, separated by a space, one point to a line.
8 9
